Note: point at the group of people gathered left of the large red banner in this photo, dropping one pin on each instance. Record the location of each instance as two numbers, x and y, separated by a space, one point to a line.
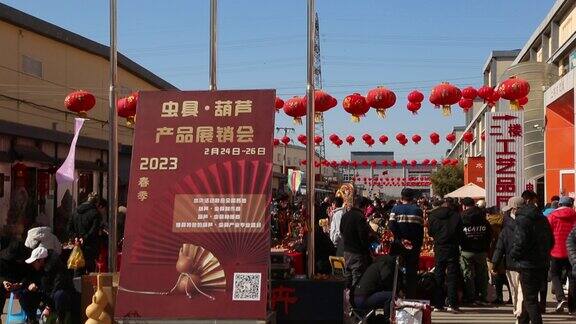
34 267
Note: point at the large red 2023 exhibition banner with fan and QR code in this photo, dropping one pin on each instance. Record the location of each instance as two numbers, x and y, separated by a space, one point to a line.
197 231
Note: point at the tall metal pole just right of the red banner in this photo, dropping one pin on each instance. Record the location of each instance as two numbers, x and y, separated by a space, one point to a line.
310 153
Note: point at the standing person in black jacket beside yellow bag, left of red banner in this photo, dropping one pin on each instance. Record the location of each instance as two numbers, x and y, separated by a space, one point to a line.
84 227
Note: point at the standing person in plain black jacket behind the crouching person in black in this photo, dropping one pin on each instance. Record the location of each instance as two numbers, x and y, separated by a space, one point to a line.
356 240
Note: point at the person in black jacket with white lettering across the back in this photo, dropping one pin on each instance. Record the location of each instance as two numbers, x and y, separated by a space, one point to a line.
476 236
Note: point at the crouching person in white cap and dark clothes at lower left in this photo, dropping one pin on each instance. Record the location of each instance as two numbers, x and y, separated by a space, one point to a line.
48 283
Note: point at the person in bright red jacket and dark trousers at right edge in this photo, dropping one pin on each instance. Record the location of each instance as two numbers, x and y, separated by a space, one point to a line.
562 221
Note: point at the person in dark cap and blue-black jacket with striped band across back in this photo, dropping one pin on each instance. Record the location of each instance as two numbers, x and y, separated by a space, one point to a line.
407 224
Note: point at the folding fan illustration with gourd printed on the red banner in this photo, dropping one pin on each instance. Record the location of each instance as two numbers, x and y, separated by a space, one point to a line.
169 237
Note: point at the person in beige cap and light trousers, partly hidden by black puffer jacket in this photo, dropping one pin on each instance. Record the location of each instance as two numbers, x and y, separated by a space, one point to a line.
502 253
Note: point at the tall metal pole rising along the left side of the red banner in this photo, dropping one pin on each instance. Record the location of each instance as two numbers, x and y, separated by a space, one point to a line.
112 143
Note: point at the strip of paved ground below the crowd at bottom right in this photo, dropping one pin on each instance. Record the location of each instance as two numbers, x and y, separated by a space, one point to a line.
496 315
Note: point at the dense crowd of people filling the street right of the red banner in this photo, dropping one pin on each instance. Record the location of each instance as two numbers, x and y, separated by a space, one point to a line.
477 251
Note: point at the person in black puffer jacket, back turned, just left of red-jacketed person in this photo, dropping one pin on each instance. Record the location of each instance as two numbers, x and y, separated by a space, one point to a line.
533 241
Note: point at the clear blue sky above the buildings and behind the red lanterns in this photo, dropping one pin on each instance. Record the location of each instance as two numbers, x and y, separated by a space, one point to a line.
400 44
